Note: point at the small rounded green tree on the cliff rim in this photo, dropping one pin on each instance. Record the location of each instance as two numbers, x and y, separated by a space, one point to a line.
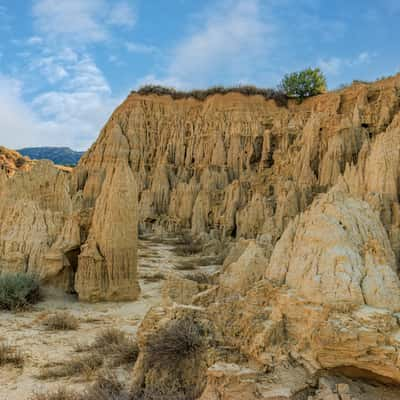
302 84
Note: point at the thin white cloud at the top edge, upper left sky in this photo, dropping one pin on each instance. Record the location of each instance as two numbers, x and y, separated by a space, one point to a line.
81 21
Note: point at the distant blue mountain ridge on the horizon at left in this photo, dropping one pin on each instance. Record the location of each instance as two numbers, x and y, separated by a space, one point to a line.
59 155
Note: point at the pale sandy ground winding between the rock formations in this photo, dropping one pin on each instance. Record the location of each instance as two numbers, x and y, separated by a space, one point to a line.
40 346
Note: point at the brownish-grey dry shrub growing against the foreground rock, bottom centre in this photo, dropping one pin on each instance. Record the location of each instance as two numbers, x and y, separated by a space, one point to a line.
175 341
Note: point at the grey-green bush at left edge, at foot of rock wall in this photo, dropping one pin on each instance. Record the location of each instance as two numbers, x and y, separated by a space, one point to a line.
18 291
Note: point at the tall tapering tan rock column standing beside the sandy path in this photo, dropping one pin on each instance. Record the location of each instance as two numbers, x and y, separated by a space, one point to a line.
107 267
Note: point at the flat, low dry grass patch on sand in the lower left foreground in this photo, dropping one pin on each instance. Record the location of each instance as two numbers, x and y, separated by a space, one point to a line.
84 365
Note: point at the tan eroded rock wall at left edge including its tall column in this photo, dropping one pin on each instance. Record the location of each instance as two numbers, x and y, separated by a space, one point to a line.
50 228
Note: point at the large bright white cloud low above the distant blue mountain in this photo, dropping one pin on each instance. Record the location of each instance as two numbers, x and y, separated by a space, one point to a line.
71 114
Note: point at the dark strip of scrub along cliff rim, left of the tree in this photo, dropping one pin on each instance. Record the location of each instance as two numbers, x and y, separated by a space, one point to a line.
202 94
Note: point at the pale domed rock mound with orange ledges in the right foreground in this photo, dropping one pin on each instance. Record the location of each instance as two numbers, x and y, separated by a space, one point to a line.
325 301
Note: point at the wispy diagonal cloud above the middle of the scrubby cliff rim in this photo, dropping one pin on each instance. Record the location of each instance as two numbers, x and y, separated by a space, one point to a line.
232 37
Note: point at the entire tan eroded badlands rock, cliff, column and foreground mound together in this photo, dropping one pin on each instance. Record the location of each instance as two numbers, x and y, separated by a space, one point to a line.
304 196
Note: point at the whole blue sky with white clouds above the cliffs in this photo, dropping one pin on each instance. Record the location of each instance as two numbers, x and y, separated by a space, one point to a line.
66 64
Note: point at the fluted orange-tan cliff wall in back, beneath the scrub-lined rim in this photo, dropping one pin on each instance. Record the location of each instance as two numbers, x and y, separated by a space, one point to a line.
243 166
